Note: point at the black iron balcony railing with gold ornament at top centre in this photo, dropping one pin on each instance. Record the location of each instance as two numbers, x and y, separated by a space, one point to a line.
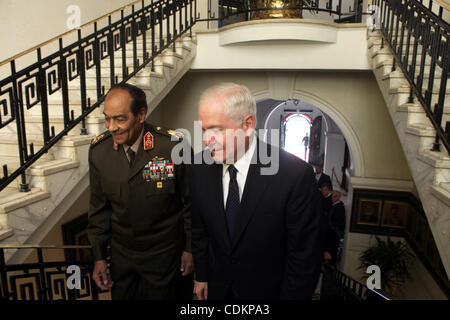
232 11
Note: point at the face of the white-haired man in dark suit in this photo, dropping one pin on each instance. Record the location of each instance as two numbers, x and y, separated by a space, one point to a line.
225 138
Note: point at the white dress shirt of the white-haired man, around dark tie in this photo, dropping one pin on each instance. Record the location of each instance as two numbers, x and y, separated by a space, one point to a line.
242 166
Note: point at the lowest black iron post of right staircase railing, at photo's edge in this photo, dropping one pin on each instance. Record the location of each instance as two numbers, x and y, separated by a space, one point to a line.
439 107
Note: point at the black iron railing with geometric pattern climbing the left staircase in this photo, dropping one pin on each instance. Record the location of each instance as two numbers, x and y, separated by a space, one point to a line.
77 74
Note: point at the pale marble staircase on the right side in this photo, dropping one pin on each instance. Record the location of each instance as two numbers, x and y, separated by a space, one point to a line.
430 169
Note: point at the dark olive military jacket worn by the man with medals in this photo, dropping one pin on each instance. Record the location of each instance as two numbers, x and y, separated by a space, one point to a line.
136 214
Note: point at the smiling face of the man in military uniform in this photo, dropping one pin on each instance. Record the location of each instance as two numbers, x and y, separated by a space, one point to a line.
123 125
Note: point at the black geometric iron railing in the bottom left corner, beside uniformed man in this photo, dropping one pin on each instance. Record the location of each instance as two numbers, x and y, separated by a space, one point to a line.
48 280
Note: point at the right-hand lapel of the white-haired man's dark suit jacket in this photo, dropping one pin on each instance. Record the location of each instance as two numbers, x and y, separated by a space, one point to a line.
255 186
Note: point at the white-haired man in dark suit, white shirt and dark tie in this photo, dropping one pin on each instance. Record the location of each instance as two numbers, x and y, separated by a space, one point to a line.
254 236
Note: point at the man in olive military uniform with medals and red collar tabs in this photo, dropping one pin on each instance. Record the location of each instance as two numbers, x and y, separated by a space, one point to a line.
139 203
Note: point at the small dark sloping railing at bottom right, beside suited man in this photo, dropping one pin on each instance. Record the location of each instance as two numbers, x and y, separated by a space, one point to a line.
339 286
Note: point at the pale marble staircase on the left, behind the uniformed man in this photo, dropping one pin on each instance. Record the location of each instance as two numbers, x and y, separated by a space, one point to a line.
62 173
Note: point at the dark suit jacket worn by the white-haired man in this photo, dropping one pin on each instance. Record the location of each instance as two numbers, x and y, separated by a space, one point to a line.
277 247
